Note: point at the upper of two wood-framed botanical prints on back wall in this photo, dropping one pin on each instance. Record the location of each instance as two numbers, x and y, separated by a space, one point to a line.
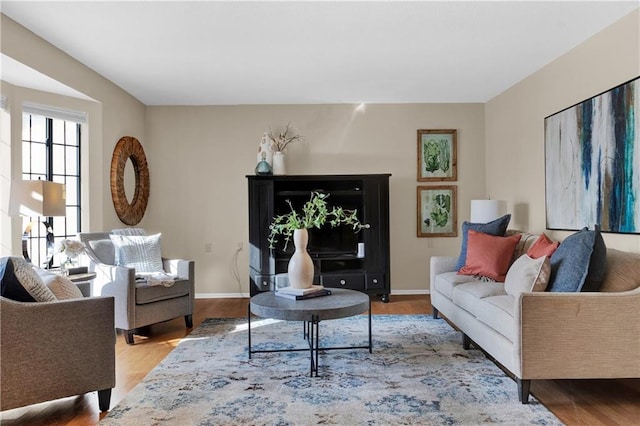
437 155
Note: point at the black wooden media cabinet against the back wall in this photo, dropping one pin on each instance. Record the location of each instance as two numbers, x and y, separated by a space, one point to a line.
334 250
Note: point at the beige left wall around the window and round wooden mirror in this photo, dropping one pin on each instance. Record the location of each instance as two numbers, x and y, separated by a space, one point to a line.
114 114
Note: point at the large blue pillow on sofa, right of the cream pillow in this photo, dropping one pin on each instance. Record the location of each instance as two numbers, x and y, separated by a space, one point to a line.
570 263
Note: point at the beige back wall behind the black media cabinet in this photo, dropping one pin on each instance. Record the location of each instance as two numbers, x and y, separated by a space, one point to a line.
199 156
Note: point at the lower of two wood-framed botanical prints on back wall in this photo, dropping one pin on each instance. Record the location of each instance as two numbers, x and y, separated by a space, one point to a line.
437 211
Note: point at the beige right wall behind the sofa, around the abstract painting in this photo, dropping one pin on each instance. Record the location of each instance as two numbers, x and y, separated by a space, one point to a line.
515 120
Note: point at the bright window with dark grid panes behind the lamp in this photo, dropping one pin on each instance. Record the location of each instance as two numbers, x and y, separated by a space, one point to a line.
51 151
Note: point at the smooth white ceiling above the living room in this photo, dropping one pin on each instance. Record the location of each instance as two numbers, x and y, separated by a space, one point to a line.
229 53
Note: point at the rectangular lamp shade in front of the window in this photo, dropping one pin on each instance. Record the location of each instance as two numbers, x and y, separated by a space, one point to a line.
37 198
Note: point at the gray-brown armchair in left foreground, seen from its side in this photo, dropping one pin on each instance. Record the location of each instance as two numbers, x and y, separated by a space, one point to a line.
53 350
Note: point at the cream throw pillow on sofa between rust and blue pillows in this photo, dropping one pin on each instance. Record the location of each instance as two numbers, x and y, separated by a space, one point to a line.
527 275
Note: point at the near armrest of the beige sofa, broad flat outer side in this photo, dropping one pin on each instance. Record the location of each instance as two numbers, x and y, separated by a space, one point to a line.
593 335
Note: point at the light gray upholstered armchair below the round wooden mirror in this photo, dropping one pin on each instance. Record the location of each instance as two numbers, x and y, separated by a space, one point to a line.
138 304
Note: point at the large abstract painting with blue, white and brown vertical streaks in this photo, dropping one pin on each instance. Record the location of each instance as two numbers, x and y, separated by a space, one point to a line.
592 163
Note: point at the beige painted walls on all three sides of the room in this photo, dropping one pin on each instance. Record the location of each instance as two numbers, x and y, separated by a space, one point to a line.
199 156
